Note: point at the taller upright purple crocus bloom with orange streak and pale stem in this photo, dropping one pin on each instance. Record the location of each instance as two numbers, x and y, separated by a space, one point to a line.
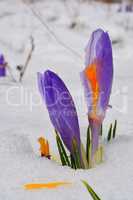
97 80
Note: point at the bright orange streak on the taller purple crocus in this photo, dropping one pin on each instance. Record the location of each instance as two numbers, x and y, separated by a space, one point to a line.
90 73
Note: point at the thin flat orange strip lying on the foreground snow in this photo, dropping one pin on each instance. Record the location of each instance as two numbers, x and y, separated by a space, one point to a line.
51 185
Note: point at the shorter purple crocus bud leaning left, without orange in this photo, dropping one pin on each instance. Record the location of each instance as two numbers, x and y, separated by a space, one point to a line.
61 108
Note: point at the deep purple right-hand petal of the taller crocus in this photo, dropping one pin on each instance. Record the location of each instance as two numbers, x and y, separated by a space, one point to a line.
104 70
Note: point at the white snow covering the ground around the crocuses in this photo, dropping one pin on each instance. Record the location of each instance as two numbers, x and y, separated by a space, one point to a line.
23 117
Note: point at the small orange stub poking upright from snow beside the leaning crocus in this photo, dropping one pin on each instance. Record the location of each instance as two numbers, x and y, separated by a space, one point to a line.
44 147
